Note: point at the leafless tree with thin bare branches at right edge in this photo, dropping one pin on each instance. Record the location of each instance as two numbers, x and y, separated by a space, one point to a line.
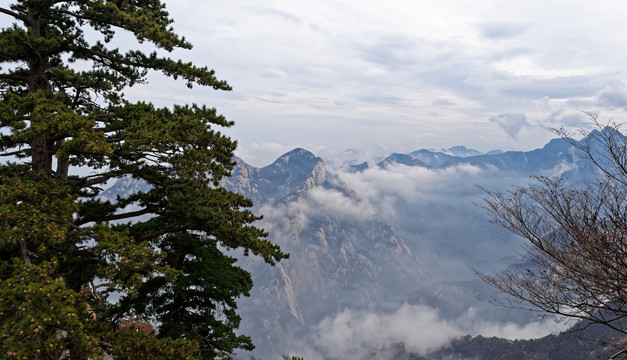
577 260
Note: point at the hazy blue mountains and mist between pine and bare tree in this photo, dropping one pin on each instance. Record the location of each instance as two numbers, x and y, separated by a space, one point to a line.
385 252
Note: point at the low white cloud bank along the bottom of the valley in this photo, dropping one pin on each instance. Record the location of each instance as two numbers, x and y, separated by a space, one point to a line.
350 333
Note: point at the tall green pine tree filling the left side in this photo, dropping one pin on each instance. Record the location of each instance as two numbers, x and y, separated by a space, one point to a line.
63 249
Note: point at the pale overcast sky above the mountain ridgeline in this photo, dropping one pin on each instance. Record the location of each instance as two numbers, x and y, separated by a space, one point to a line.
400 75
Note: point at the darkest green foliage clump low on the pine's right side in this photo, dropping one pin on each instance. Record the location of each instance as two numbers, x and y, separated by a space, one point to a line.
209 284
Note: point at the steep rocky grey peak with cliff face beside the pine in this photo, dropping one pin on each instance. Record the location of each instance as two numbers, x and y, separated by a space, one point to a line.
340 257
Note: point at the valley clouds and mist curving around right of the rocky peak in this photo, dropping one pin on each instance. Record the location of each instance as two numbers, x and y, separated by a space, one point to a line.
437 212
